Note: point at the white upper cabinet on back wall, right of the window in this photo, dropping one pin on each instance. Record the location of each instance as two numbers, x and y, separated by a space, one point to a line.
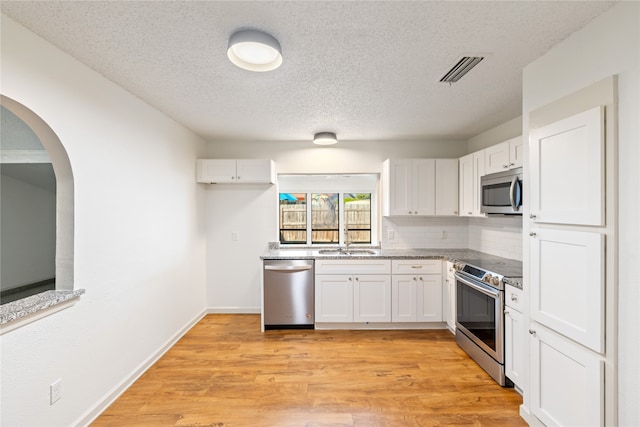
420 187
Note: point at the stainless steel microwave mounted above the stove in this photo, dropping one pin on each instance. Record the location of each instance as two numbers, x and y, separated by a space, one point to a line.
501 192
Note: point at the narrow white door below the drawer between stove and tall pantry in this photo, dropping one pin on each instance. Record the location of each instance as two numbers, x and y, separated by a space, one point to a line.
514 340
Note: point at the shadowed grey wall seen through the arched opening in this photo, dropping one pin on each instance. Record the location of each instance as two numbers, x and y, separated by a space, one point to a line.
28 233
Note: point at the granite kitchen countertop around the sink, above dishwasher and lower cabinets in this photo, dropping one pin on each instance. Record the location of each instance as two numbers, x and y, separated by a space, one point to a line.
511 269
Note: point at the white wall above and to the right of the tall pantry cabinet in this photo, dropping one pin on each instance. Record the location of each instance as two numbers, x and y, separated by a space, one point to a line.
608 46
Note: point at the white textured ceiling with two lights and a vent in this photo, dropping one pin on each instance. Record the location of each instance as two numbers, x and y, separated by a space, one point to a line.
365 70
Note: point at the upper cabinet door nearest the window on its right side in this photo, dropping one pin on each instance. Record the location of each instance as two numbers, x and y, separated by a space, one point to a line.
400 187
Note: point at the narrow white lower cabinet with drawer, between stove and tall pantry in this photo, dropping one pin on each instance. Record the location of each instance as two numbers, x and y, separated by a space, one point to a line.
515 335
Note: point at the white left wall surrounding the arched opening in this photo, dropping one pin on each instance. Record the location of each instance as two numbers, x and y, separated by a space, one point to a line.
139 238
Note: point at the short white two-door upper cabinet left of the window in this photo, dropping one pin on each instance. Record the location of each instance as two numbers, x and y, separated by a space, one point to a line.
235 171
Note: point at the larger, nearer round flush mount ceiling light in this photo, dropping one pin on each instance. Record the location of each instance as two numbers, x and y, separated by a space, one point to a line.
254 51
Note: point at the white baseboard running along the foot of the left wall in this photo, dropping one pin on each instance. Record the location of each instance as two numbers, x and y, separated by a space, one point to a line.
90 415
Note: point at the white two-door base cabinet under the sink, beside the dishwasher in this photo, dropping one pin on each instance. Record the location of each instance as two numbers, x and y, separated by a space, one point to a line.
352 291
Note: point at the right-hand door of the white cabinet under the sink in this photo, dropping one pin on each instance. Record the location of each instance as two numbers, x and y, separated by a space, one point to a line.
372 298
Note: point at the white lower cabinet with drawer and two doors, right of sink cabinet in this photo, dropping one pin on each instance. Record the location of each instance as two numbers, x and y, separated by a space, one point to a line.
416 297
